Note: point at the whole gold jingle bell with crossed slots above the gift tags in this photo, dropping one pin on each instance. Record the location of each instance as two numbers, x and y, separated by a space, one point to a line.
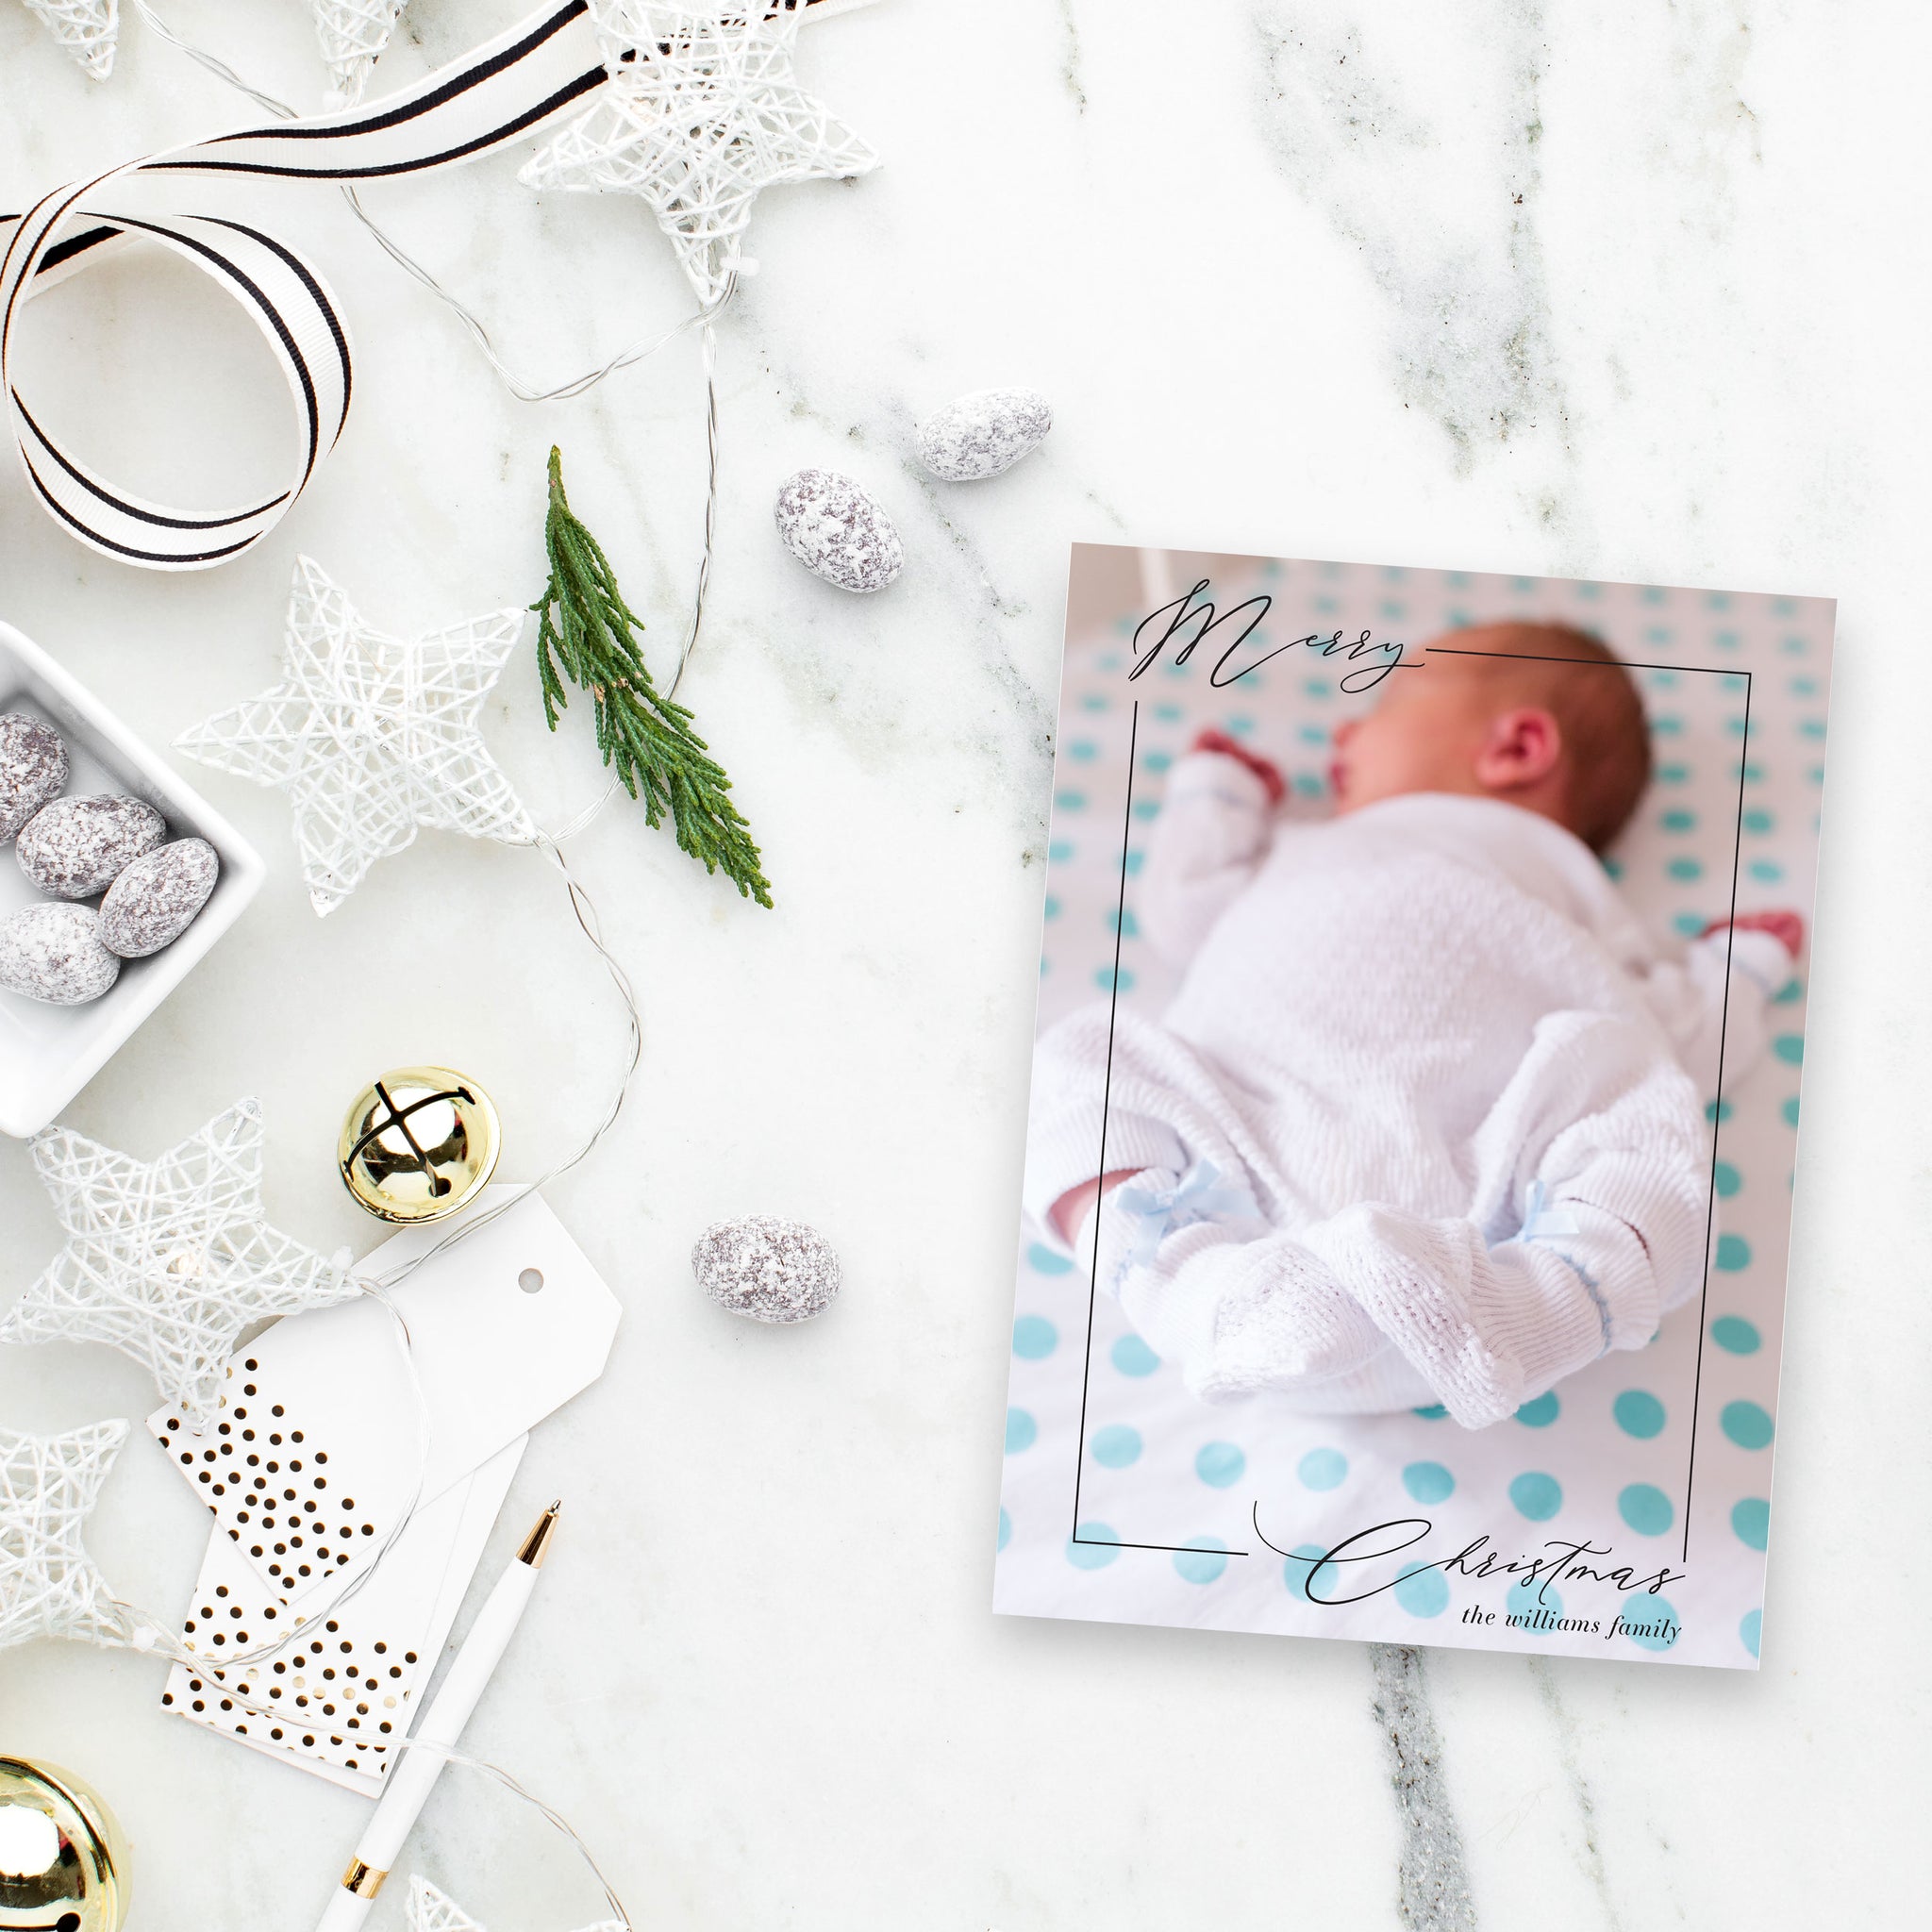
418 1145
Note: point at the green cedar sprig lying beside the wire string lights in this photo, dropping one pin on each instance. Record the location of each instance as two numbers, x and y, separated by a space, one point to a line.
586 633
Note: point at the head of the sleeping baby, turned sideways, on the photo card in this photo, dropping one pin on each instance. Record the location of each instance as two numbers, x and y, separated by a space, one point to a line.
1548 722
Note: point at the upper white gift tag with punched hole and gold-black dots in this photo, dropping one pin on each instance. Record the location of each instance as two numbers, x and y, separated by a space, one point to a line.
316 1450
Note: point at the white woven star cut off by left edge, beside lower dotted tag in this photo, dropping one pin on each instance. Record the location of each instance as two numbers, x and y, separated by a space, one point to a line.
49 1585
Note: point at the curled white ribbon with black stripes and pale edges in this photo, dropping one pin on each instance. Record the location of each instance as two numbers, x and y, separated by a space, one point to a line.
499 94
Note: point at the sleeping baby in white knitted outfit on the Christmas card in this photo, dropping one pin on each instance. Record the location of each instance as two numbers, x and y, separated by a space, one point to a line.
1425 1120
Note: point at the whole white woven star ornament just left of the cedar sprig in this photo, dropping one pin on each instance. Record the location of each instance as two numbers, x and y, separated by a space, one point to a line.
374 737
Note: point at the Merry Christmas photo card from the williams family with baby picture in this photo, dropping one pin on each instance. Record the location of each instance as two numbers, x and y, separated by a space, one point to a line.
1413 1106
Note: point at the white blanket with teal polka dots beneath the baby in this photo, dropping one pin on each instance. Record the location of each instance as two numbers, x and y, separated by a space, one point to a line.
1626 1510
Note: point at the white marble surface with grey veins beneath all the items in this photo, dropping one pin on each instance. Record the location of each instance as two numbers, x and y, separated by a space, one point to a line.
1628 293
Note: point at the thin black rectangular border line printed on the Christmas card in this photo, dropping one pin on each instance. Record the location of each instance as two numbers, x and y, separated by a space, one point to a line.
1717 1112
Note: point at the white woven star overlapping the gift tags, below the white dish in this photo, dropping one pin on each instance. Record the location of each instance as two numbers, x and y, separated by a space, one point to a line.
169 1261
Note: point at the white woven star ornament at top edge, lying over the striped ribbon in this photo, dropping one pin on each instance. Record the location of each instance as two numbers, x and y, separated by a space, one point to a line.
700 113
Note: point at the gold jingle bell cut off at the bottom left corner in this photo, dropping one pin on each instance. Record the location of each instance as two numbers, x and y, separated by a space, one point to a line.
63 1858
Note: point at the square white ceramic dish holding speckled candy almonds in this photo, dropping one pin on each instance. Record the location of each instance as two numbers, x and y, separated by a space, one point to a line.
49 1054
